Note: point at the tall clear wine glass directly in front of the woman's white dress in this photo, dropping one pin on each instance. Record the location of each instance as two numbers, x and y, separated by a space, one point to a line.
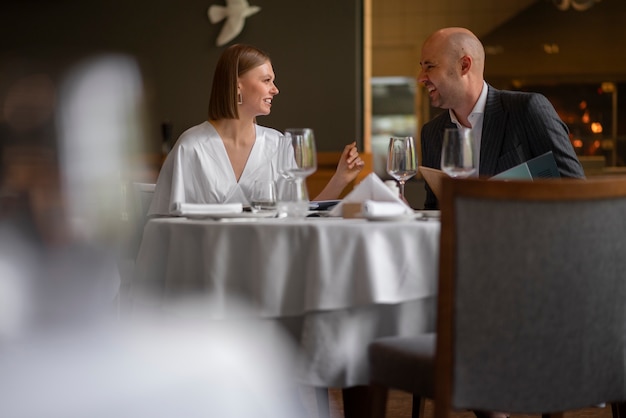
295 164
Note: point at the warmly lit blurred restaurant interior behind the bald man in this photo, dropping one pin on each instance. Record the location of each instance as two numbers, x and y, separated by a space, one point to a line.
570 55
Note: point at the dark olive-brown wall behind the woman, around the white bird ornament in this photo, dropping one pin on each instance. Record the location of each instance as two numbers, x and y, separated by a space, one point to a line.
315 45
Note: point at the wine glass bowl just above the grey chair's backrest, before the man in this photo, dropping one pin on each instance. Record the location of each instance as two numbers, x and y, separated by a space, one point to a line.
457 159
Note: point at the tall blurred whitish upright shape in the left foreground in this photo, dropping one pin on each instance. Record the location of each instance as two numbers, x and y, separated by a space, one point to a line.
100 127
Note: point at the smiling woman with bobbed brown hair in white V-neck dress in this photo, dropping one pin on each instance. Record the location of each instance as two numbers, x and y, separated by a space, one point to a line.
218 160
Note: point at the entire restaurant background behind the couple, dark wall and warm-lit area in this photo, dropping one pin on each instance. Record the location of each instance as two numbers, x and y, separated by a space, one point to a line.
347 69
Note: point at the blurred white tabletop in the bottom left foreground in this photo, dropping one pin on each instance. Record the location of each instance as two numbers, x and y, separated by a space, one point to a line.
166 363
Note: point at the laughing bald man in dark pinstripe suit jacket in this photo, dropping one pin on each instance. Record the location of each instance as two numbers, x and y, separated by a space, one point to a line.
508 127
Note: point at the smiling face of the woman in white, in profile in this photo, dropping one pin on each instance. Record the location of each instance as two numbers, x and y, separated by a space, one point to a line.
257 90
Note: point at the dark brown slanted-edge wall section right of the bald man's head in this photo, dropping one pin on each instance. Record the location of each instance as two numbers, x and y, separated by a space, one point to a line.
563 46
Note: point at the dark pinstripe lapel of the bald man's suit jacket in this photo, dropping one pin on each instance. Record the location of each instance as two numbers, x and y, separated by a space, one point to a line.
494 124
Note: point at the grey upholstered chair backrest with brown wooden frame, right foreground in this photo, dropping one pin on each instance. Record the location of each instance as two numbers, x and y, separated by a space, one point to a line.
531 314
